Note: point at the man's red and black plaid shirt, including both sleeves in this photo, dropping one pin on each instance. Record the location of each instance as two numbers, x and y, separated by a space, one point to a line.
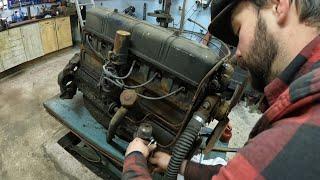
284 143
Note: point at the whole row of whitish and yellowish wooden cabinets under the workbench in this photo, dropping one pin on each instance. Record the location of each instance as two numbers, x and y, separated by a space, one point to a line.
28 42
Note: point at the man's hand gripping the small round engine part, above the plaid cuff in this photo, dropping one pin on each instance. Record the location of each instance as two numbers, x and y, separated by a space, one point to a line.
141 146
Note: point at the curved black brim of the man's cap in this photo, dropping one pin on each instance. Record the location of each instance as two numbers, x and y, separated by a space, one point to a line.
221 27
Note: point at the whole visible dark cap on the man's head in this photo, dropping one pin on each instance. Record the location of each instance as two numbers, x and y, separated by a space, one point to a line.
220 26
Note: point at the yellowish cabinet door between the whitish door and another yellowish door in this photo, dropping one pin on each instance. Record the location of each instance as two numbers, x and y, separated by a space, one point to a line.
48 36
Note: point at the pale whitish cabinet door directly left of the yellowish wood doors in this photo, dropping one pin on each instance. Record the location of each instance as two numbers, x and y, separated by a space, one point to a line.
32 41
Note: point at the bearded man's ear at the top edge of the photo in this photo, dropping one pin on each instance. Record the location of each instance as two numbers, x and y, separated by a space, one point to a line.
281 10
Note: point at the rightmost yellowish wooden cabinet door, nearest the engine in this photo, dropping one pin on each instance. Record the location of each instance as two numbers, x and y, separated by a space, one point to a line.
64 36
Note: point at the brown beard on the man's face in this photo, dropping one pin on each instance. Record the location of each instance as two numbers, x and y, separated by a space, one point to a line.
260 56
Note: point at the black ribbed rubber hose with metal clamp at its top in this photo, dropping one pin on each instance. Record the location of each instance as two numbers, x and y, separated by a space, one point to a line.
184 145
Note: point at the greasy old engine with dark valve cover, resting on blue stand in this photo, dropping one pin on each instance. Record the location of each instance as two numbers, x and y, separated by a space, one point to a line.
164 70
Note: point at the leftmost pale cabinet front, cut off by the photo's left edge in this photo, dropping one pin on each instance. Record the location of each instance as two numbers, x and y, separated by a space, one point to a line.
12 53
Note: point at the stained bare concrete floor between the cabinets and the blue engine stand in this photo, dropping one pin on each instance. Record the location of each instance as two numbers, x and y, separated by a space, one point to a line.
28 134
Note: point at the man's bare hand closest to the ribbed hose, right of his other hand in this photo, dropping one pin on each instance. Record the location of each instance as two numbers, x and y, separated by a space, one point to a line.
160 160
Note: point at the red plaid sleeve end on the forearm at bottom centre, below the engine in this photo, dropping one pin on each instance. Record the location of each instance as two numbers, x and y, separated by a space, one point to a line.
135 167
